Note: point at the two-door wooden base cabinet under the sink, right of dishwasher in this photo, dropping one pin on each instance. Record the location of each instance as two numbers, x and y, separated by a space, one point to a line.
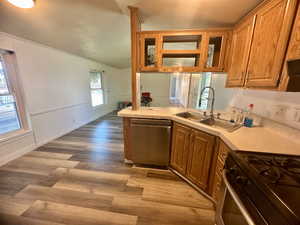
192 153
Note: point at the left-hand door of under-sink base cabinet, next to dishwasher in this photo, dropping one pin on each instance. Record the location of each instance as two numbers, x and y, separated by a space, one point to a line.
180 147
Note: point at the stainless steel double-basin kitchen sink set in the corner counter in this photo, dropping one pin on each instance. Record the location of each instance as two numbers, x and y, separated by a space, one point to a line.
212 122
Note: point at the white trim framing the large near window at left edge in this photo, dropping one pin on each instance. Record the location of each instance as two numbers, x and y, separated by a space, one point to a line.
12 77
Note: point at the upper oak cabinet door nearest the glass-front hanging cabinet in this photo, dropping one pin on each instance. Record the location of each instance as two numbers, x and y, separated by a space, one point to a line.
240 49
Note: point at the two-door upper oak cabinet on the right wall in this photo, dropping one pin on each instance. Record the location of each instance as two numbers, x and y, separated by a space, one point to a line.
258 47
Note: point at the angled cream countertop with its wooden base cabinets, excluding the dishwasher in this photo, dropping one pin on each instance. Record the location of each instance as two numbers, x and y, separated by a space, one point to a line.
272 138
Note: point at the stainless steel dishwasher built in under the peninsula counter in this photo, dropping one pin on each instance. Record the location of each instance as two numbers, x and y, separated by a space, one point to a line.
151 141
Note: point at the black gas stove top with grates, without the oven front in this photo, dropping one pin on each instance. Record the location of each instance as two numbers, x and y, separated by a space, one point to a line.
278 176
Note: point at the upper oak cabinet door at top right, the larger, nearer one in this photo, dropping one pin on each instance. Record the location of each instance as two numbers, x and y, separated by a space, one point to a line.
271 33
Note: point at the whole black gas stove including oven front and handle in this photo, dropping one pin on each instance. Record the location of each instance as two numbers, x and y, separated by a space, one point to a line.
267 186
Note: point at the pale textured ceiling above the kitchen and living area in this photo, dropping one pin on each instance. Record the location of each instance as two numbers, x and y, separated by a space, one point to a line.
99 29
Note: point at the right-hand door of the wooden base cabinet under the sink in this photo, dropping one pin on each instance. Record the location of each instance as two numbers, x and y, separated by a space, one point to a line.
200 157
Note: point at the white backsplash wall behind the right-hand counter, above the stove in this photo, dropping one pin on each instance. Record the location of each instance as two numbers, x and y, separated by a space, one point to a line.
283 107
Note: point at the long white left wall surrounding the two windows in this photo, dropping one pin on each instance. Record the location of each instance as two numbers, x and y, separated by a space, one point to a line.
56 91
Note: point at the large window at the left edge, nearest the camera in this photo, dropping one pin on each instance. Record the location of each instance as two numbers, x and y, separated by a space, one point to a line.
10 118
